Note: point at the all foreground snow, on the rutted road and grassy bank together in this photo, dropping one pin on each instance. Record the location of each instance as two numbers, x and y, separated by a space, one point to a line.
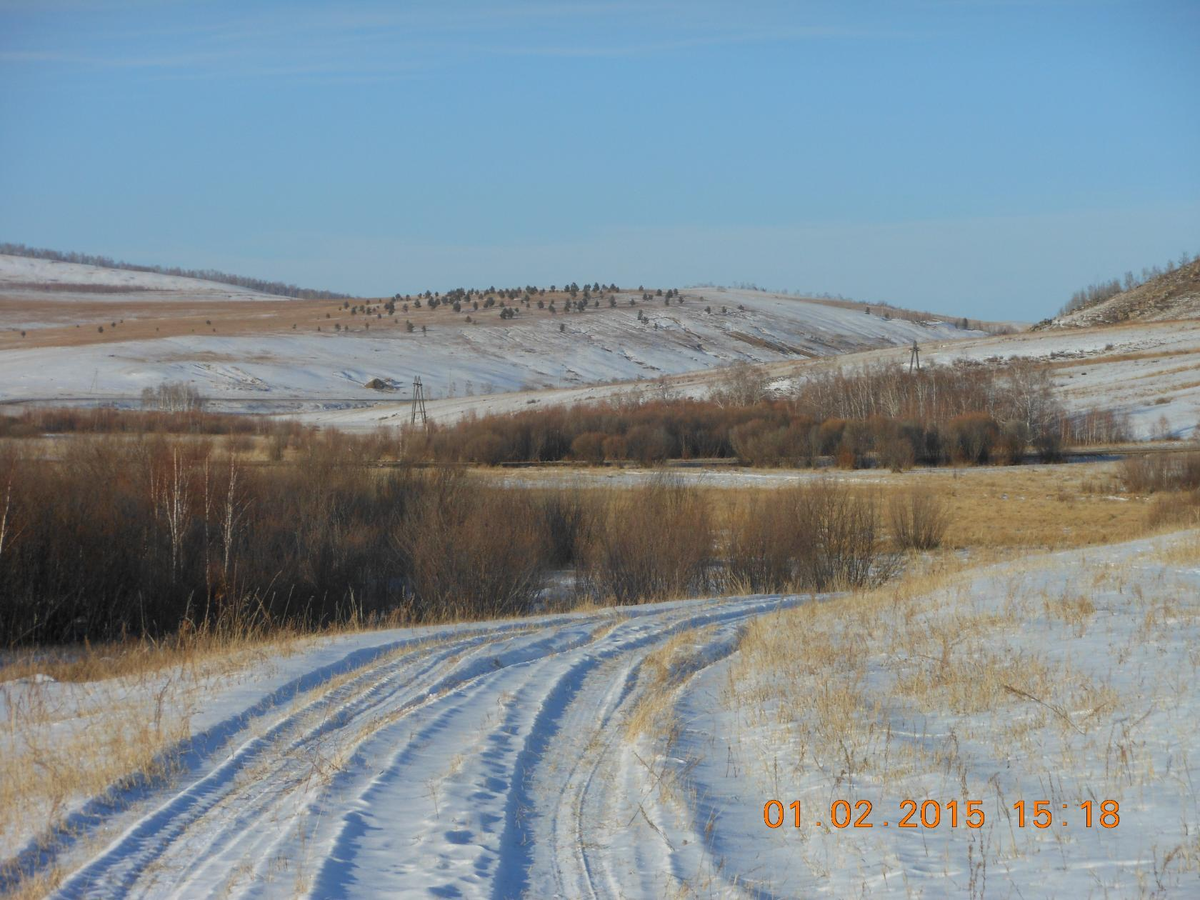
494 760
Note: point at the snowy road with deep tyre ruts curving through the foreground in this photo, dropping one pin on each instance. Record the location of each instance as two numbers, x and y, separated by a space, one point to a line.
489 764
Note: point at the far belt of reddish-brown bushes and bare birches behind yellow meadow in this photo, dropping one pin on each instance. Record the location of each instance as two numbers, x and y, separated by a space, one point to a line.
967 413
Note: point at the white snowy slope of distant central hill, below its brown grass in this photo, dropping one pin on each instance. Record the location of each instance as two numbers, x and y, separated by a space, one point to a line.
712 328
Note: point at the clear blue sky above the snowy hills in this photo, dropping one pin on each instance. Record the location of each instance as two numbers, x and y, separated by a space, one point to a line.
970 158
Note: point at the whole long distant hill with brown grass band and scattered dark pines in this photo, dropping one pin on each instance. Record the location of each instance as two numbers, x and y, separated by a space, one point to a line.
62 341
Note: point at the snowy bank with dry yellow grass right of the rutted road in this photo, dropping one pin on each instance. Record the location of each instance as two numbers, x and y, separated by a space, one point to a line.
1070 679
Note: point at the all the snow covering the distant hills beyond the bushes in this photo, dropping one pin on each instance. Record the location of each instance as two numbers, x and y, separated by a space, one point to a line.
1148 370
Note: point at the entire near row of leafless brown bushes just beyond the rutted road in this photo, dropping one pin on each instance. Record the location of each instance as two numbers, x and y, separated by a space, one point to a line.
151 537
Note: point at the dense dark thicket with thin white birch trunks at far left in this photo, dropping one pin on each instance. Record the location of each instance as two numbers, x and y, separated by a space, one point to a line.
143 536
